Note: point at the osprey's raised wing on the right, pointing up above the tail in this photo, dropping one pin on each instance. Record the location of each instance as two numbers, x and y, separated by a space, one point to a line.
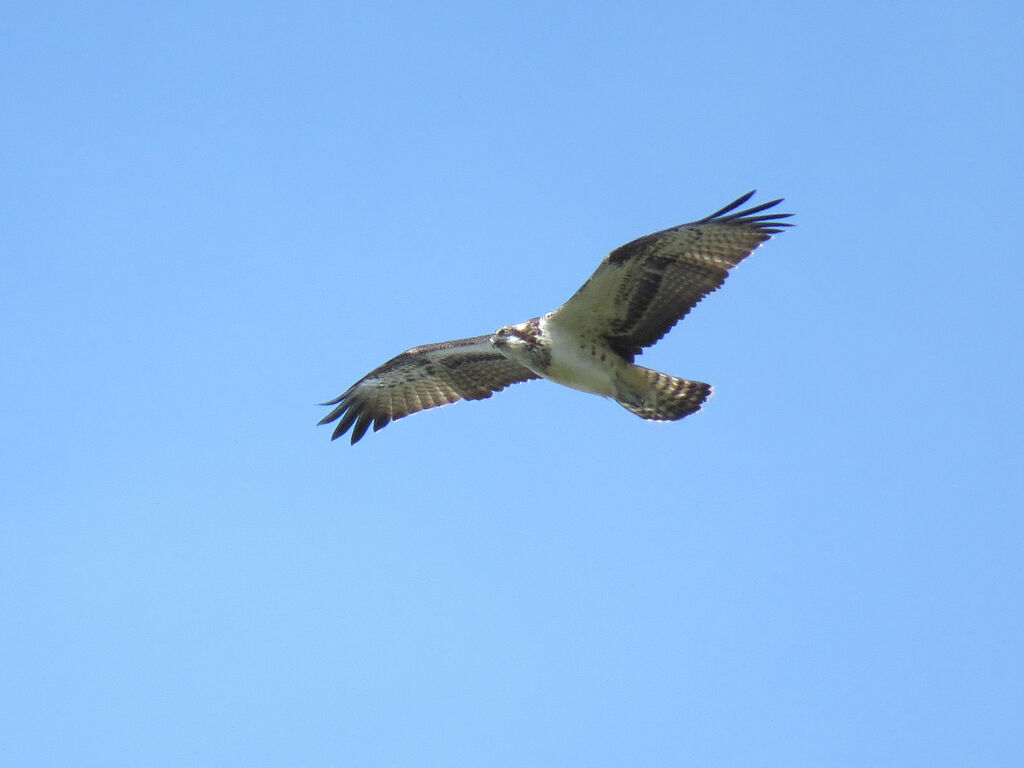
643 289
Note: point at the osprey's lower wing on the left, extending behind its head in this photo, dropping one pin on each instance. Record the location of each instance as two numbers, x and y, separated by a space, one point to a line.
424 377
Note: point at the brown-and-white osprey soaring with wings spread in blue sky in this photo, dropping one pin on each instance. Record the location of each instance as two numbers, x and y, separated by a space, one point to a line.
636 295
